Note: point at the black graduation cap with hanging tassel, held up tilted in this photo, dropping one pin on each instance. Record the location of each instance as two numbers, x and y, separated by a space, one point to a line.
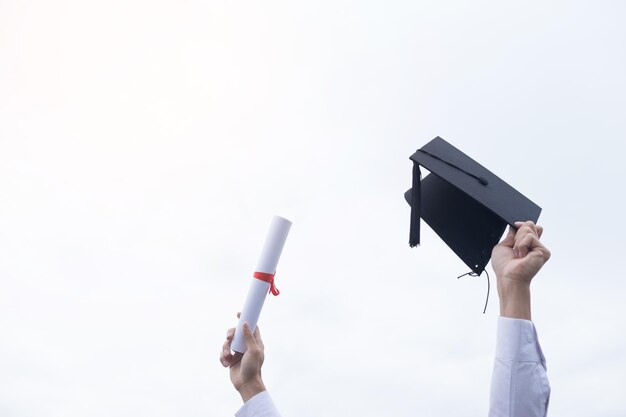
463 202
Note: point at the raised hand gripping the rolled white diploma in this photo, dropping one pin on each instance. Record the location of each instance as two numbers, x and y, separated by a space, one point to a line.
245 369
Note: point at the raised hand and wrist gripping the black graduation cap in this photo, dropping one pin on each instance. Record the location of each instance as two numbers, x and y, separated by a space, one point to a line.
516 260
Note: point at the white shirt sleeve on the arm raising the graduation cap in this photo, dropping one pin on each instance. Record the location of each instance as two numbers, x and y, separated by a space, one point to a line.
519 384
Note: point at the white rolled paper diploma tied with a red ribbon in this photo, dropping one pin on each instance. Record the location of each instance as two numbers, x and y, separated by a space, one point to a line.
273 247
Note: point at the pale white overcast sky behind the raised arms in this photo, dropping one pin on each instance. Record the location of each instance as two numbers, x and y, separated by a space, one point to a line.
145 145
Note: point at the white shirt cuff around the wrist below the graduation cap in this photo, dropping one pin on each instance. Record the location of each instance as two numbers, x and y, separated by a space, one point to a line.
517 341
